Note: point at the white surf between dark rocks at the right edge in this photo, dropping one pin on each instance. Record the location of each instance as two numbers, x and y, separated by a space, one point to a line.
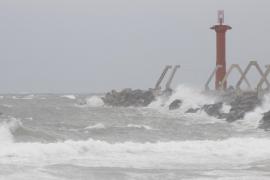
252 119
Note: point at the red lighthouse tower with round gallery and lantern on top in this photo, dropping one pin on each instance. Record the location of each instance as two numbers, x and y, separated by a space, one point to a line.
221 49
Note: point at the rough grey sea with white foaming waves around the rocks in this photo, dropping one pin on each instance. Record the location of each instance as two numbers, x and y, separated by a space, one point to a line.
77 137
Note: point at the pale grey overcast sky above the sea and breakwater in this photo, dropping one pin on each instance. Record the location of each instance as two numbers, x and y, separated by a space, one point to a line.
97 45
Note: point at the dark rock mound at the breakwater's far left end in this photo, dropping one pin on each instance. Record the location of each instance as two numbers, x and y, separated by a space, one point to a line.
129 97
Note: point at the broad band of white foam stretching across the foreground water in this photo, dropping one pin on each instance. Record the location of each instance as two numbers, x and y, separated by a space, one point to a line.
173 154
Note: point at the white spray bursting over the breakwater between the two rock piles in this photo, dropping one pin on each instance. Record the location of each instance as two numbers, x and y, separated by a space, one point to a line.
191 97
